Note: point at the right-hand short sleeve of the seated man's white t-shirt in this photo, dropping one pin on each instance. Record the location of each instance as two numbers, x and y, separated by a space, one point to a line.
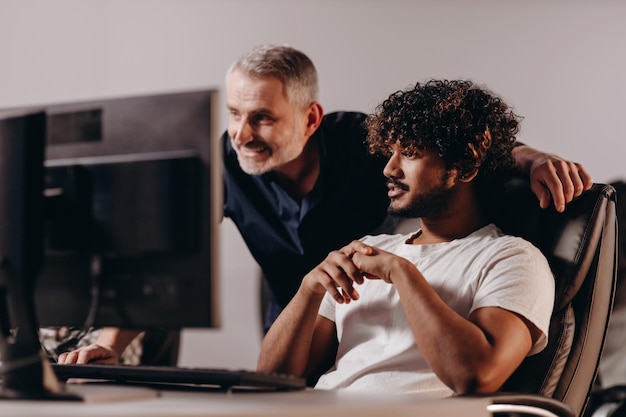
519 279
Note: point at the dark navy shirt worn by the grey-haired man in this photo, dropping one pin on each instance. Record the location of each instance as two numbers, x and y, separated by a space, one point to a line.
288 239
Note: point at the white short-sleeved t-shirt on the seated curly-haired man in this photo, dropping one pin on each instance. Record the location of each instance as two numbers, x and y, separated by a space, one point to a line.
377 350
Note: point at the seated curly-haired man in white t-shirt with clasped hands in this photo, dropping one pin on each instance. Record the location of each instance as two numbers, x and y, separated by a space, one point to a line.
452 308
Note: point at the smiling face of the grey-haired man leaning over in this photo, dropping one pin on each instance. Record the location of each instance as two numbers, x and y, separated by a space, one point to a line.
266 130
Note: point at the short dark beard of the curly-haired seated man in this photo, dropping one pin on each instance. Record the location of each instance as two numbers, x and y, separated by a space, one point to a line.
427 204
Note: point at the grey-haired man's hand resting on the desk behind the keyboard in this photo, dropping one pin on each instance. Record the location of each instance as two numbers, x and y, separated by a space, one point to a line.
107 349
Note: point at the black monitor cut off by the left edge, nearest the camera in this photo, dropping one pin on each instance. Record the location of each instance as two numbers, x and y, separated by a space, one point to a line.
21 222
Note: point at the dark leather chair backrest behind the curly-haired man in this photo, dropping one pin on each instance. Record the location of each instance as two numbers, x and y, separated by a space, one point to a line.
581 247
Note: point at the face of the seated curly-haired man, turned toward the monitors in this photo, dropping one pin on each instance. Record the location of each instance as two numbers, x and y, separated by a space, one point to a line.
419 184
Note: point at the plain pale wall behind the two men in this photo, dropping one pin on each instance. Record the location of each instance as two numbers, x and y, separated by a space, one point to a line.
561 63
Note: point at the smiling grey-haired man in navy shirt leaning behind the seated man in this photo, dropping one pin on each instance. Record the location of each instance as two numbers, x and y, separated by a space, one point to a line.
299 184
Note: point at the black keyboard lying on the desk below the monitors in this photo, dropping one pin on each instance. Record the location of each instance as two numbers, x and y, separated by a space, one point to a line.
202 377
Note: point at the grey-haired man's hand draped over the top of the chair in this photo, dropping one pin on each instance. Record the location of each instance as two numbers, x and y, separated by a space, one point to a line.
552 177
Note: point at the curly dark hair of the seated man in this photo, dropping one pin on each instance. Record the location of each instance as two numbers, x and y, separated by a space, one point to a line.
469 127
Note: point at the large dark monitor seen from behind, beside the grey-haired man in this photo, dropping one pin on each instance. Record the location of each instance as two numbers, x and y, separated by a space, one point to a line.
130 195
